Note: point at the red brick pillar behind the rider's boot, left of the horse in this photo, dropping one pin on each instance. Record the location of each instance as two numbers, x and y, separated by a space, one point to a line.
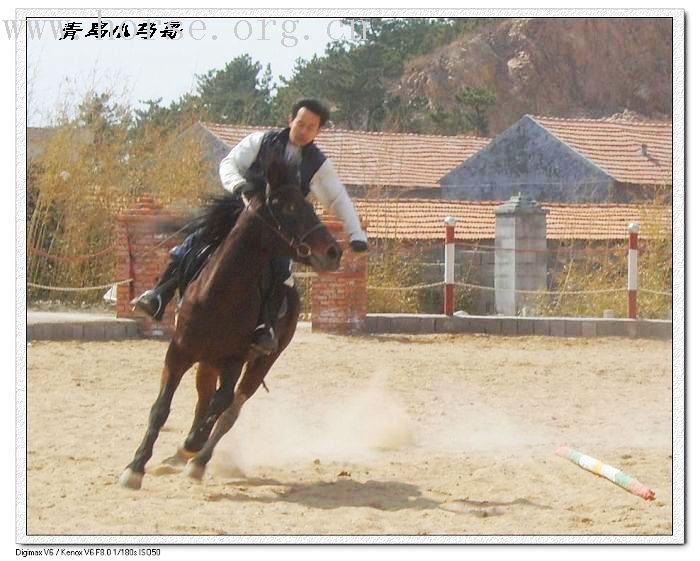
141 258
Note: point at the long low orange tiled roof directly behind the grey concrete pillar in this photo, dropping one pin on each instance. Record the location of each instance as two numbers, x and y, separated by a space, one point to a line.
423 219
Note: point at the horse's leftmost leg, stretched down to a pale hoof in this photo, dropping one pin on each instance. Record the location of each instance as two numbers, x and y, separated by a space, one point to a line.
175 366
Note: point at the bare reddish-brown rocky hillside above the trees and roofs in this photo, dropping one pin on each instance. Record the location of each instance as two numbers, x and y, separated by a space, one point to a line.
561 67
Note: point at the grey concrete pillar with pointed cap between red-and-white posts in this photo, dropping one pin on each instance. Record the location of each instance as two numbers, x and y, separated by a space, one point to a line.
521 254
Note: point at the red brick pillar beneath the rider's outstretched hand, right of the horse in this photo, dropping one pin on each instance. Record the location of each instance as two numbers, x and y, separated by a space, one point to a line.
339 299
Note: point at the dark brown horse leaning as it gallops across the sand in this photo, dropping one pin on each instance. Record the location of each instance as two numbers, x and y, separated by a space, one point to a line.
219 312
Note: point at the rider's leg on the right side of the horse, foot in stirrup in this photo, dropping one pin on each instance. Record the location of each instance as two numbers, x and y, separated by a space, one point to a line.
265 337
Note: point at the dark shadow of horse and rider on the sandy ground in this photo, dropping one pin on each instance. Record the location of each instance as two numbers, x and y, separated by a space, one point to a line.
329 495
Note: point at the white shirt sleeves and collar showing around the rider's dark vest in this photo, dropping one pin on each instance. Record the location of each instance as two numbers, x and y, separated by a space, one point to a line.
325 184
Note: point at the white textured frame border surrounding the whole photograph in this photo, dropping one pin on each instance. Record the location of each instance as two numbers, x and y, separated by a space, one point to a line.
679 385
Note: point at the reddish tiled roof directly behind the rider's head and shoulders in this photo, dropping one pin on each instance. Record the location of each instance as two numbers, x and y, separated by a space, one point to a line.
380 158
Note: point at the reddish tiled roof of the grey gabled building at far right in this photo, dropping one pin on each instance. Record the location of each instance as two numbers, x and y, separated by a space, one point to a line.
616 146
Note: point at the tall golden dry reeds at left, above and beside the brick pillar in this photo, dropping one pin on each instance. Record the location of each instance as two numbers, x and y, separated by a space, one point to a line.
85 174
